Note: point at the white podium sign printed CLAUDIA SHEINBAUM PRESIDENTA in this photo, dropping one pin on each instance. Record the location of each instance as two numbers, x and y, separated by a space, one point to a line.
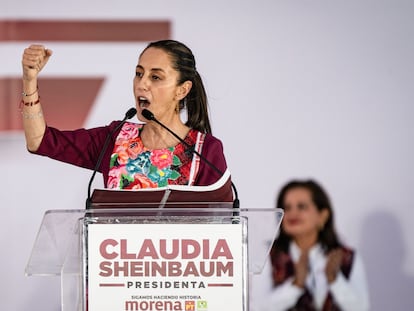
161 266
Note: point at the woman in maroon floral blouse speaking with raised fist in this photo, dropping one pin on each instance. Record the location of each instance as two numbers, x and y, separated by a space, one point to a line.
165 151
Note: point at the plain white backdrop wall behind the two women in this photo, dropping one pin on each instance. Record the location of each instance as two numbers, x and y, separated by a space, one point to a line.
319 89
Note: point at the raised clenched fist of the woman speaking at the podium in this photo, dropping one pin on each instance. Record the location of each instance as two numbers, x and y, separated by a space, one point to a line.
34 59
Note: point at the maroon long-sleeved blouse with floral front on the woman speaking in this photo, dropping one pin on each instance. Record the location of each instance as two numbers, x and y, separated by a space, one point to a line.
133 166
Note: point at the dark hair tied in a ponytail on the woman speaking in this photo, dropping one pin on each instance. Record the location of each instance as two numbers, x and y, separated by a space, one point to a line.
196 101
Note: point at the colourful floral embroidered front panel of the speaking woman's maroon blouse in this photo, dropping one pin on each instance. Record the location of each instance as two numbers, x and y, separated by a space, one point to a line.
133 166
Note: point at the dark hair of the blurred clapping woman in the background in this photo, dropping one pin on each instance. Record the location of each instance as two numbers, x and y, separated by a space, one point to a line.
327 237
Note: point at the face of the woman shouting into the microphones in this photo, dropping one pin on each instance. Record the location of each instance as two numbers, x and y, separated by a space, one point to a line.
155 85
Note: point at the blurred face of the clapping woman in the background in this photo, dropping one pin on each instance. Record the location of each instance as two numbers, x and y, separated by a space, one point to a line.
302 218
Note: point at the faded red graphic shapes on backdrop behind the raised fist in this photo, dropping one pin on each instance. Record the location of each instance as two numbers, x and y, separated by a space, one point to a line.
73 97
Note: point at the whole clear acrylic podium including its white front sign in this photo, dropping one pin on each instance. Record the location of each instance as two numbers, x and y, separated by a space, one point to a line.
140 259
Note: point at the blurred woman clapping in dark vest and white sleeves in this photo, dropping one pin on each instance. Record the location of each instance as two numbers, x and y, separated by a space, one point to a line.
311 268
